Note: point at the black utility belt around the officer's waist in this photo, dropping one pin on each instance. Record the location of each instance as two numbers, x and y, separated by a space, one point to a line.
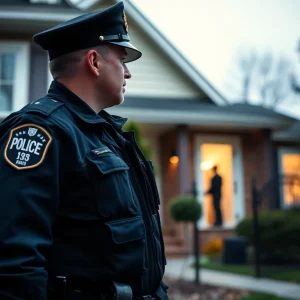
63 289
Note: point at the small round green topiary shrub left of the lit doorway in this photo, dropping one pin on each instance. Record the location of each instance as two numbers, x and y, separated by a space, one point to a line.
185 209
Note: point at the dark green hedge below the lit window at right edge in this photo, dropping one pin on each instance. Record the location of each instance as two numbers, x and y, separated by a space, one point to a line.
279 235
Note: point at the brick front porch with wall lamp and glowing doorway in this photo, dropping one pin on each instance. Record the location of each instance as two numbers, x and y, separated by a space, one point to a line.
238 154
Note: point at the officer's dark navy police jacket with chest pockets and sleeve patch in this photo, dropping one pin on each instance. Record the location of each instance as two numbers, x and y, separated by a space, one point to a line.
78 199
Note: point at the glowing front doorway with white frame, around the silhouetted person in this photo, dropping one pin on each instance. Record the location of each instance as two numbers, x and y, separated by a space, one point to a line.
224 153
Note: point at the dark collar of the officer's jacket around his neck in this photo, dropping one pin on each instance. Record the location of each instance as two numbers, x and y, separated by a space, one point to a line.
60 92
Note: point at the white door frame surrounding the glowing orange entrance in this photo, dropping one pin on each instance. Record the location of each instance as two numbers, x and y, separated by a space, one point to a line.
238 175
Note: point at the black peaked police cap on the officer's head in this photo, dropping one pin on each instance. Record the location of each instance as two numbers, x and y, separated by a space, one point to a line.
89 30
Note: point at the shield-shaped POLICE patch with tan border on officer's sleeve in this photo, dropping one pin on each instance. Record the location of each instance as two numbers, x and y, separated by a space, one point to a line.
27 146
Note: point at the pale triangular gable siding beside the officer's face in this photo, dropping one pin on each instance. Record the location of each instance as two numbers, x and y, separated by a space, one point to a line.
155 74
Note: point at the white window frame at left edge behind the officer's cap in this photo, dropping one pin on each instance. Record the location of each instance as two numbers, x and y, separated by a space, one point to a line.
21 81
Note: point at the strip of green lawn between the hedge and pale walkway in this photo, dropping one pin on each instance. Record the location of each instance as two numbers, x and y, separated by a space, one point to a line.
275 272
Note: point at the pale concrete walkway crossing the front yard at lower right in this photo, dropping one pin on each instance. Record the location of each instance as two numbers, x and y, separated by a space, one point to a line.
178 268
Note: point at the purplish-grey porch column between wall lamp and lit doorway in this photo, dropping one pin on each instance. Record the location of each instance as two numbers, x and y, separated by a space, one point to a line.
183 154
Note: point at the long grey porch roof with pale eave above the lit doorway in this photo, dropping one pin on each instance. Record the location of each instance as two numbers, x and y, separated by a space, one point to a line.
197 113
